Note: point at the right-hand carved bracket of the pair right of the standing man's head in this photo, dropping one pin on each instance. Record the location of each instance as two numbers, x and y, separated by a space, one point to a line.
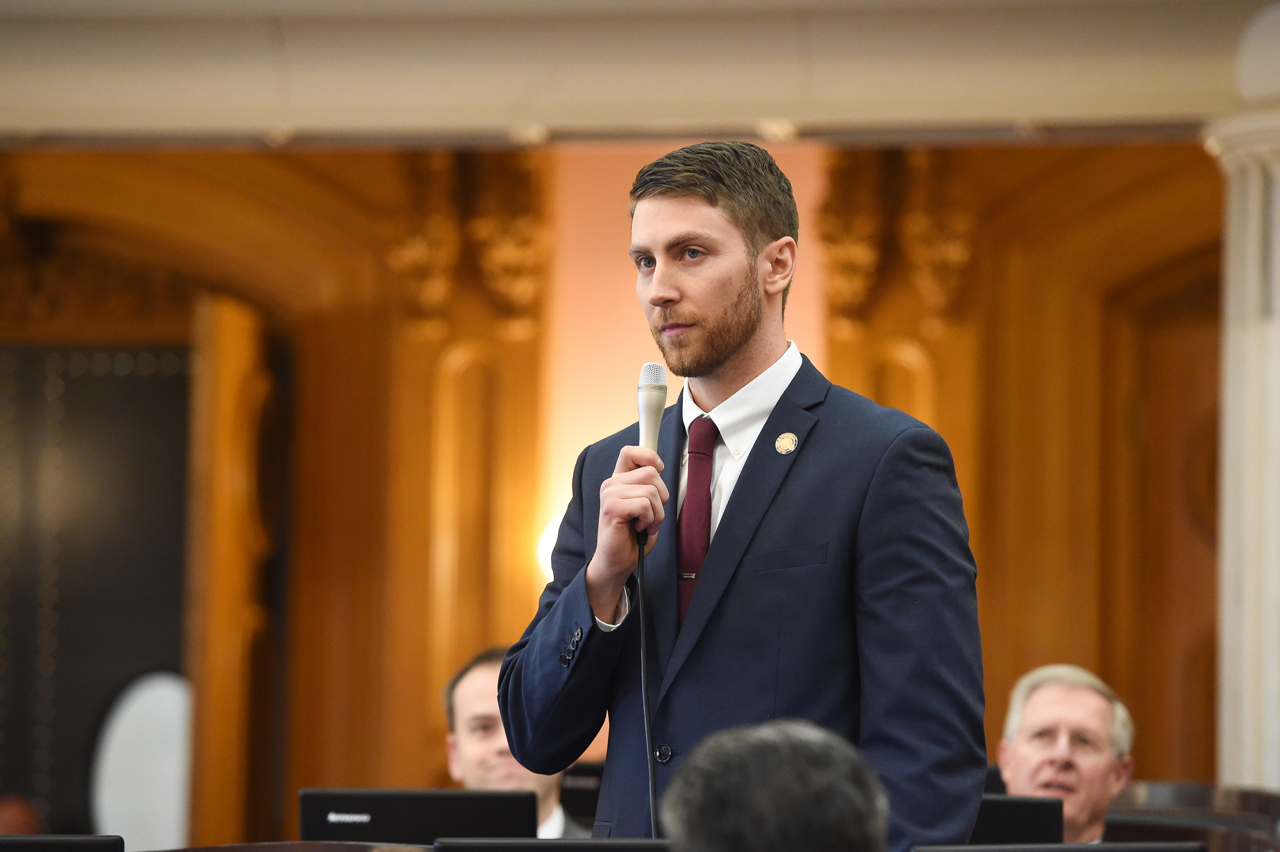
935 230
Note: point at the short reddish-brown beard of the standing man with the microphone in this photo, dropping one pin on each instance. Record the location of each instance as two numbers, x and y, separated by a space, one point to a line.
723 336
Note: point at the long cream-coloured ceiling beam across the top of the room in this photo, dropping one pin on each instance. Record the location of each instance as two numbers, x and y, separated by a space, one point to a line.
491 71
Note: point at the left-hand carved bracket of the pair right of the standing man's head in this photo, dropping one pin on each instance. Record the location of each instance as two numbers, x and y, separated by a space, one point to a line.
852 226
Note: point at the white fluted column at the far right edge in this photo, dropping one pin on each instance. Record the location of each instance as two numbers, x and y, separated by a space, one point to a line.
1249 726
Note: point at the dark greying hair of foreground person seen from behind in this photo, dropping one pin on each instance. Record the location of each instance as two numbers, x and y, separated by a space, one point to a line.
784 785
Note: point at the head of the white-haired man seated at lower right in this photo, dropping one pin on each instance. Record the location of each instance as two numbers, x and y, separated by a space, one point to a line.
1068 736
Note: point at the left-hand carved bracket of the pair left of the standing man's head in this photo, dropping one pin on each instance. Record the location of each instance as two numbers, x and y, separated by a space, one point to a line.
426 262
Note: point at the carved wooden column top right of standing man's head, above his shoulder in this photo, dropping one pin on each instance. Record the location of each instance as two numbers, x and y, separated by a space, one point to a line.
898 235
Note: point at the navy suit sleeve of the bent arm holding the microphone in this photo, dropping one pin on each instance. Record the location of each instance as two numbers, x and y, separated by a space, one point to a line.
556 682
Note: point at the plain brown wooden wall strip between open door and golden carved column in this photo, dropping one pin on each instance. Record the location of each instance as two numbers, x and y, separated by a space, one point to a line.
337 583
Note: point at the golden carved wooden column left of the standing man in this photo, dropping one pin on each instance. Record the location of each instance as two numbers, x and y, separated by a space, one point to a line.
463 572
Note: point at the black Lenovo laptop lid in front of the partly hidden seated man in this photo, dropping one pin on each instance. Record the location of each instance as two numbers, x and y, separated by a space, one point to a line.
415 817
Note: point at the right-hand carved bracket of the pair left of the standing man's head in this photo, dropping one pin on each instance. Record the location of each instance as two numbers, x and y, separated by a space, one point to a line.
510 231
